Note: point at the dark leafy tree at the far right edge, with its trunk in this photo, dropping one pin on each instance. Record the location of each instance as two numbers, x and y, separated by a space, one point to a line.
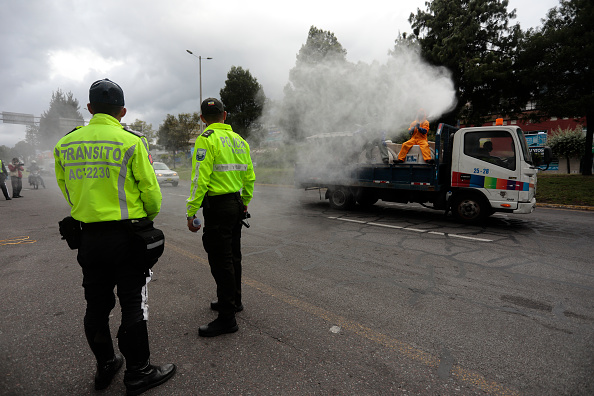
559 59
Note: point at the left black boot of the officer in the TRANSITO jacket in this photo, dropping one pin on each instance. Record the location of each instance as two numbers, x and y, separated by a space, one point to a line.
108 362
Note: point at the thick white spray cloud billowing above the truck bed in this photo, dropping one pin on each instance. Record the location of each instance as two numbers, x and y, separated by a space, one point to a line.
337 96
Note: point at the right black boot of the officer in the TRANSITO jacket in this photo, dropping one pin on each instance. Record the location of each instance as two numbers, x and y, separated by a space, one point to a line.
140 375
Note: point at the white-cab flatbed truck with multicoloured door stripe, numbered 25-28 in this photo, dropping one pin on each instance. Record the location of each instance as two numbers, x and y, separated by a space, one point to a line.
465 178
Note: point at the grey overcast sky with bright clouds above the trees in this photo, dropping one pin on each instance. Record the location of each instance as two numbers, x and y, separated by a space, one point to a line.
142 46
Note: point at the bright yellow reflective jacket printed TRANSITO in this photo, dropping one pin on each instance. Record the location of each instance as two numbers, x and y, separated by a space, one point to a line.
105 174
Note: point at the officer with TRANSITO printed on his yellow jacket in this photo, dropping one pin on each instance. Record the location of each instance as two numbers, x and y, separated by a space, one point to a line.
105 175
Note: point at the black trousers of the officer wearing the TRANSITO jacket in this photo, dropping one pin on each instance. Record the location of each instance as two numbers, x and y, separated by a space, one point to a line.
108 257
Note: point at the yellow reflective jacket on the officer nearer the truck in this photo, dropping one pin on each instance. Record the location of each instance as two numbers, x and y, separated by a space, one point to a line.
221 165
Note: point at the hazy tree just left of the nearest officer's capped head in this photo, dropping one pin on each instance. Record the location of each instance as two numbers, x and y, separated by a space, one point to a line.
61 117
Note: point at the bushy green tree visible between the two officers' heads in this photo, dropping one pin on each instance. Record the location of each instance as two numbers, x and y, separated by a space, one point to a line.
175 133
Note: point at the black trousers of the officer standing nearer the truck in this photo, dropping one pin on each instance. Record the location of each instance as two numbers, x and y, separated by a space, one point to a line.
222 241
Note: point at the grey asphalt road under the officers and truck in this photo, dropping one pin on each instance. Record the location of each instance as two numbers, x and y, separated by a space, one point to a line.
395 299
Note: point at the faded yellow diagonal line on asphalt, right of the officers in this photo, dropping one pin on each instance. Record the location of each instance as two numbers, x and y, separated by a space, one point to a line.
466 376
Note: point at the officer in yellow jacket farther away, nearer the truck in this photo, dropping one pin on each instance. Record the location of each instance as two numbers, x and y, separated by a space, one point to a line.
223 184
